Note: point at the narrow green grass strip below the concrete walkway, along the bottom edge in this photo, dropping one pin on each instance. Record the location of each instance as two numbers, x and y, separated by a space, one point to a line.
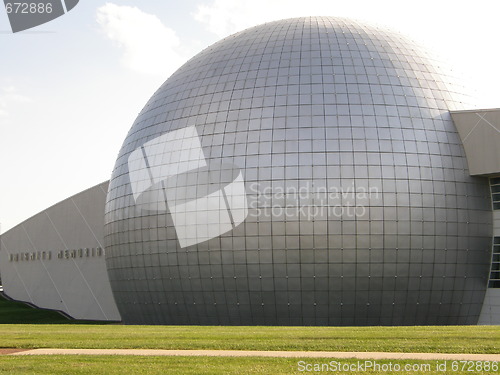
118 365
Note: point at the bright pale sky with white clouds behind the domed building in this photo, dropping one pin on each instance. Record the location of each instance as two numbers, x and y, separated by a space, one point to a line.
70 89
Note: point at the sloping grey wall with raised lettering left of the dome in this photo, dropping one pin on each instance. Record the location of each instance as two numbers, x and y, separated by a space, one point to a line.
56 259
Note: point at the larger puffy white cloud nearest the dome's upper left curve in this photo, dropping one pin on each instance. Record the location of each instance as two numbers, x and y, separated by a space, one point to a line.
148 45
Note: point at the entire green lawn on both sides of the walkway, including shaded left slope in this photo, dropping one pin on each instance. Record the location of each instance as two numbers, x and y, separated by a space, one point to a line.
462 339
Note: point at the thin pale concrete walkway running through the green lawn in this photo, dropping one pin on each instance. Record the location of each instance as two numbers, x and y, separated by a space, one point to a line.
254 353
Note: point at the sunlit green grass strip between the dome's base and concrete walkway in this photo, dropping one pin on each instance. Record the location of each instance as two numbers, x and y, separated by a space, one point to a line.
453 339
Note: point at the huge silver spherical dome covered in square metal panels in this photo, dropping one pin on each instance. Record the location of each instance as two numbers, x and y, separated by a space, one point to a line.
302 172
